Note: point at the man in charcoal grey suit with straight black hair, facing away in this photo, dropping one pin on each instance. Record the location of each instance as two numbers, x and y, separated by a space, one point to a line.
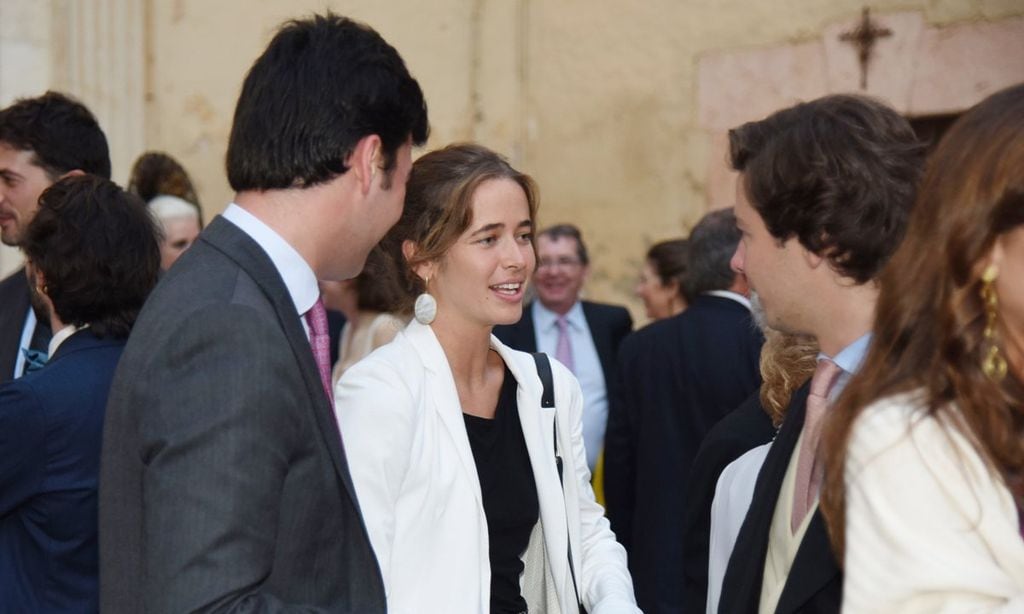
224 480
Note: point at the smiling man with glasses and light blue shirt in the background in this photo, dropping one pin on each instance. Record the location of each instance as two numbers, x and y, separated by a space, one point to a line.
592 334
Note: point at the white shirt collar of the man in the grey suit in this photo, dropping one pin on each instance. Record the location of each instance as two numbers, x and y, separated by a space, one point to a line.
300 278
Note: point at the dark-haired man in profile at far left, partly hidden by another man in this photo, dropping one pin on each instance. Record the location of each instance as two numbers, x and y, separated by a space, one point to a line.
41 140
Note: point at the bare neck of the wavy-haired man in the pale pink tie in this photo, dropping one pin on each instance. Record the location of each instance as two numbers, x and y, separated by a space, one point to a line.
847 318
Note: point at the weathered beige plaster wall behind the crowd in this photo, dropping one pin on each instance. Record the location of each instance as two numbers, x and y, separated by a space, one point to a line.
600 100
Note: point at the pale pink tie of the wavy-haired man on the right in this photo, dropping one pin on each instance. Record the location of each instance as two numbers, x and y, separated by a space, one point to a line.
809 471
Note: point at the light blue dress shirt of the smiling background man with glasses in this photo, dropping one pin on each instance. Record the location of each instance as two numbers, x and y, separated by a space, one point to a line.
586 367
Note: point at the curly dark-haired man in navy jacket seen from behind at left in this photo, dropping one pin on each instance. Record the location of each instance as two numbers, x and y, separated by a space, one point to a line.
94 257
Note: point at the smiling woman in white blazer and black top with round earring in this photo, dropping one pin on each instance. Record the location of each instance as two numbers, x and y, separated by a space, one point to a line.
412 415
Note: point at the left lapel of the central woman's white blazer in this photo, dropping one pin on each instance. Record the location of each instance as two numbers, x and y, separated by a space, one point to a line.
443 396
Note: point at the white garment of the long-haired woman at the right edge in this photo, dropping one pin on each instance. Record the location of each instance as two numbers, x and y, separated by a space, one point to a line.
930 528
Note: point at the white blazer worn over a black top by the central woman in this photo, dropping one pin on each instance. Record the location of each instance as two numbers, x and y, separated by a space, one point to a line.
416 481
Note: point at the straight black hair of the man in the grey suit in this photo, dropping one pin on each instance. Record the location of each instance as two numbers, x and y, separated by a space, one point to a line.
323 84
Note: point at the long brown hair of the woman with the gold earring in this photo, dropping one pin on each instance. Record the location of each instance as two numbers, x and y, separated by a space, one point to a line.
930 319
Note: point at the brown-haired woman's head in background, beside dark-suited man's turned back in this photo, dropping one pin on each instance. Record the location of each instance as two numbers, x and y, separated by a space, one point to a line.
661 286
